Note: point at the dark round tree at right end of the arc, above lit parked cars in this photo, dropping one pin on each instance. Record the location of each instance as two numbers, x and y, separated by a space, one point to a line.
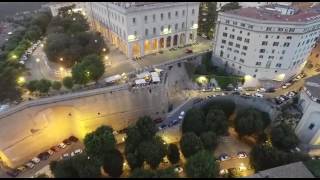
249 122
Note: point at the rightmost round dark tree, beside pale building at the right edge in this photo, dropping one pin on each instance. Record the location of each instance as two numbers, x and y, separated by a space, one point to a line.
283 137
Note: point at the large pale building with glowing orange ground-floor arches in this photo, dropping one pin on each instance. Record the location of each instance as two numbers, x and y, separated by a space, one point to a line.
141 28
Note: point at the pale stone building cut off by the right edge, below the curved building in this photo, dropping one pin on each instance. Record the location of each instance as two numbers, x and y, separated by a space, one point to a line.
308 129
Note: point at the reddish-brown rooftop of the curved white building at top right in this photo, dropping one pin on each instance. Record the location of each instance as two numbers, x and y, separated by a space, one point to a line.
276 12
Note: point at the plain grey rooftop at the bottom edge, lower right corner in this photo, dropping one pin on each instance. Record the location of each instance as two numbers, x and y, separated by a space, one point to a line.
293 170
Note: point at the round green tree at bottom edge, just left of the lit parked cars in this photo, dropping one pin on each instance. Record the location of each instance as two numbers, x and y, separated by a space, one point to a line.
202 165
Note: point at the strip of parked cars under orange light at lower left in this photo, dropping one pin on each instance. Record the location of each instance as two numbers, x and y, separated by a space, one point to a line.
63 150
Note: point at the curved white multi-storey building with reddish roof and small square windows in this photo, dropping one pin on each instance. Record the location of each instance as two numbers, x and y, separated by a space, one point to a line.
266 44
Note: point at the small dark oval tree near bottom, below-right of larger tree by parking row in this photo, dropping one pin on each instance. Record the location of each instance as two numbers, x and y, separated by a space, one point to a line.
113 163
